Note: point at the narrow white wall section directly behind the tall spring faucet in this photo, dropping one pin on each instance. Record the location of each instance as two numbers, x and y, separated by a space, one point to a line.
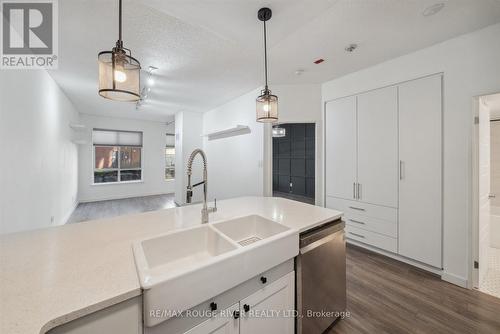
188 130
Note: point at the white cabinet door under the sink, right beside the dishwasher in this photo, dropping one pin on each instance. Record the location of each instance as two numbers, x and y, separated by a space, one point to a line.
270 310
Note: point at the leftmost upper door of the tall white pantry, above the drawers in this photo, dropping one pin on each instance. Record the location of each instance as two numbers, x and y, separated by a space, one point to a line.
340 145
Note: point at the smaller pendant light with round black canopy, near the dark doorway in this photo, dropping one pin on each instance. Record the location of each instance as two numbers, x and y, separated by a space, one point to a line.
267 103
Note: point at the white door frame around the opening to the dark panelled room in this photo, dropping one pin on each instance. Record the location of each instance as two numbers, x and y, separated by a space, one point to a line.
268 158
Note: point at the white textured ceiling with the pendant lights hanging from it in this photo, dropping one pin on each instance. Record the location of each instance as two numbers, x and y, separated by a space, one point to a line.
210 51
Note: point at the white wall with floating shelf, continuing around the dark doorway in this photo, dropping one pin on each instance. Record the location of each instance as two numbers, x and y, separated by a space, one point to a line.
242 165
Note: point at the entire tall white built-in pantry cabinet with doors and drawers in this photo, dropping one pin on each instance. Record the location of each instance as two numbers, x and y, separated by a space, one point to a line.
383 167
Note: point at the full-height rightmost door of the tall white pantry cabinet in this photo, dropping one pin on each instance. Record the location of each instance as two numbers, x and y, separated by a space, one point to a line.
420 152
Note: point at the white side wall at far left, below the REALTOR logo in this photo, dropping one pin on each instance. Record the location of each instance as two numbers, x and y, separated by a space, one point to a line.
38 184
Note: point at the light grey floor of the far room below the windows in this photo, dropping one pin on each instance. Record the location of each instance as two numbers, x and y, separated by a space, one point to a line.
120 207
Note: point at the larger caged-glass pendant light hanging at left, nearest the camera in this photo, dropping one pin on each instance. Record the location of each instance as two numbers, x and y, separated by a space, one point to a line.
119 72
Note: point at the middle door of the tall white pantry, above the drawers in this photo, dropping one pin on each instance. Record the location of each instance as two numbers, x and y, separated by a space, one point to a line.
378 147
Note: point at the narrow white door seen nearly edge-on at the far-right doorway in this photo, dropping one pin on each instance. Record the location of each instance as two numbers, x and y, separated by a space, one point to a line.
484 188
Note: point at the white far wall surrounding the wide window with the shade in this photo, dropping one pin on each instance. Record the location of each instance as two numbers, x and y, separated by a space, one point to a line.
153 163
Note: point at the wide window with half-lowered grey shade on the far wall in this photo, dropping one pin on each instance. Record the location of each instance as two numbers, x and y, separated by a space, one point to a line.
117 156
